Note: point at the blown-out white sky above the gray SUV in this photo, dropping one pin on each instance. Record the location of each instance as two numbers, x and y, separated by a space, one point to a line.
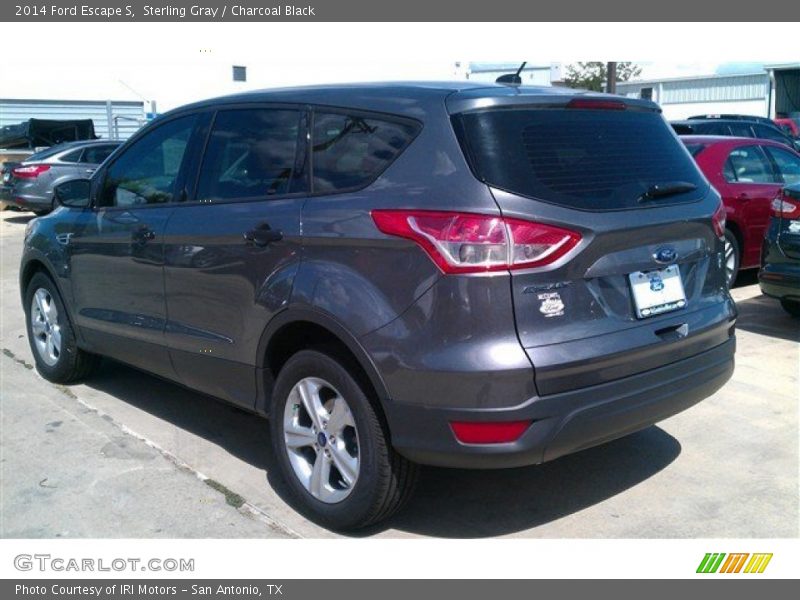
173 64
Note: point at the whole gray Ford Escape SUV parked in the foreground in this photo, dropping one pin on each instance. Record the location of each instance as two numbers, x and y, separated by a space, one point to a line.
446 274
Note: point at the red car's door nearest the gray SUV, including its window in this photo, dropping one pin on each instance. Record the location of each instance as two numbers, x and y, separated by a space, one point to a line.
750 185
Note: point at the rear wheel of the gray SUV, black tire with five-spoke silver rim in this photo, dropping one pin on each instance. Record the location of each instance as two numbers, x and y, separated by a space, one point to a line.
383 480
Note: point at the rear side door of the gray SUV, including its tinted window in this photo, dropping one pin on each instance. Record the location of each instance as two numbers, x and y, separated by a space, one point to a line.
232 250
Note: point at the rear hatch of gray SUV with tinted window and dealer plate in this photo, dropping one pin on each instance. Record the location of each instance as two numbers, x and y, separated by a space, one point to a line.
645 285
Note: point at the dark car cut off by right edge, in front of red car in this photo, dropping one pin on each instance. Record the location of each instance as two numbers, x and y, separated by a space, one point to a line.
780 273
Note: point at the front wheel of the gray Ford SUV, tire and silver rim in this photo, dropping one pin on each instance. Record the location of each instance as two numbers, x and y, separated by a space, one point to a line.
53 344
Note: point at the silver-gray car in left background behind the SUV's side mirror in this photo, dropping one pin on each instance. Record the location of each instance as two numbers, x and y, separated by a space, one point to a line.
29 185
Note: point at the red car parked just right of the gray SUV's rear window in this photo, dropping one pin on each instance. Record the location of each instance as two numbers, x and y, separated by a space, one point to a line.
748 173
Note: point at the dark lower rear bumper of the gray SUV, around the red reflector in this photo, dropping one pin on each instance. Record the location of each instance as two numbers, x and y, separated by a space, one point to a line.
566 422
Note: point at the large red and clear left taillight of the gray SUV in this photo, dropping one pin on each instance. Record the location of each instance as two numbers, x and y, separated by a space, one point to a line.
472 243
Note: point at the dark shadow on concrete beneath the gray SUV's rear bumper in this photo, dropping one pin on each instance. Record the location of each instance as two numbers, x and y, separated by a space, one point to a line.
455 503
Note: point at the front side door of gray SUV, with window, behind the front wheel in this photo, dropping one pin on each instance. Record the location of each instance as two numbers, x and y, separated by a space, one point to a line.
117 252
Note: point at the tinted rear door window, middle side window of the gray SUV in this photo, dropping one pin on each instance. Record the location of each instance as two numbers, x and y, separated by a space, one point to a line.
251 154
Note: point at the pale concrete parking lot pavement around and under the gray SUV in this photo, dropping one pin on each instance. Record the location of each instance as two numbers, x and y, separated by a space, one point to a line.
128 455
